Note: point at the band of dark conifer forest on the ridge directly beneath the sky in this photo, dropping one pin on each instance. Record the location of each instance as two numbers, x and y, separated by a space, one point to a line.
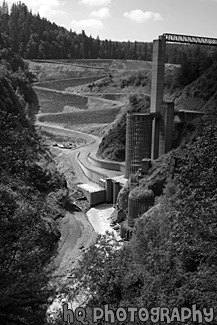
34 37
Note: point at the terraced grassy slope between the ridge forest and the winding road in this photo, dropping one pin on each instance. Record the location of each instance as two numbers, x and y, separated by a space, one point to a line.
99 111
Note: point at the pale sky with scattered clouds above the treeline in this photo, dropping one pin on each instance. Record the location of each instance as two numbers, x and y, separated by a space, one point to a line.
133 20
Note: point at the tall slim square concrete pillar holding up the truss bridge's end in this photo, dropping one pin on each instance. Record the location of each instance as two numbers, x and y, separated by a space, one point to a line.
157 87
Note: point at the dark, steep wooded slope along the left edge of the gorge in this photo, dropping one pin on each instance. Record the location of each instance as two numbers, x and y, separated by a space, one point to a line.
31 199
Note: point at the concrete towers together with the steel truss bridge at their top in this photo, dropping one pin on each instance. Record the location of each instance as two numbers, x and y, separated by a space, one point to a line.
150 135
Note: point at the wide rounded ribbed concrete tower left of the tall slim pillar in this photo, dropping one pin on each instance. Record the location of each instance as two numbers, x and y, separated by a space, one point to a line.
138 141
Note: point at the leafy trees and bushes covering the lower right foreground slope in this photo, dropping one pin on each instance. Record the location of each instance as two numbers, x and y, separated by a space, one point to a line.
171 259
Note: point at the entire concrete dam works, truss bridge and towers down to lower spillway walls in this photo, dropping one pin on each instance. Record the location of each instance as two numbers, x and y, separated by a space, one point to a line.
148 136
